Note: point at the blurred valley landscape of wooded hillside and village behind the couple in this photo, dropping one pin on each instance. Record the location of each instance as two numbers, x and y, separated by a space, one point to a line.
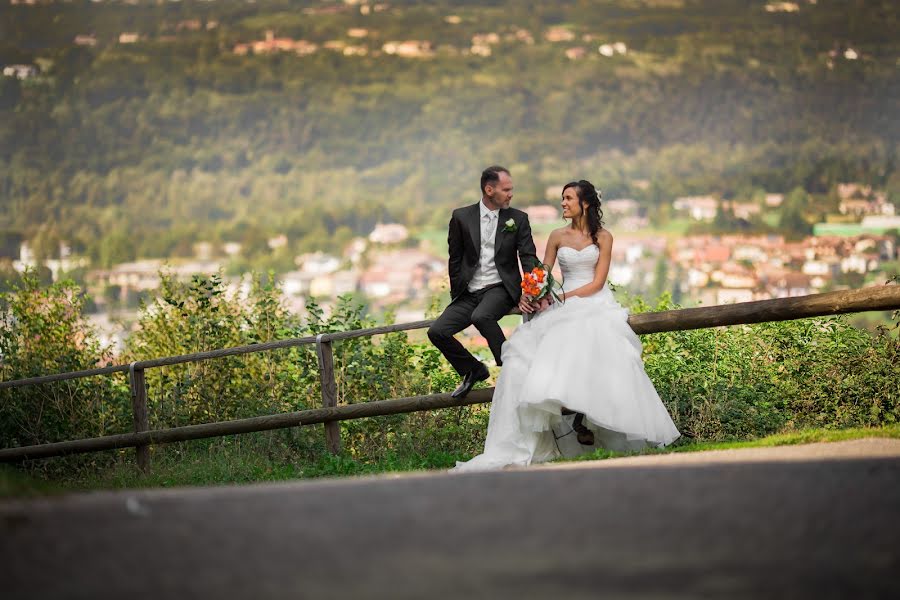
744 149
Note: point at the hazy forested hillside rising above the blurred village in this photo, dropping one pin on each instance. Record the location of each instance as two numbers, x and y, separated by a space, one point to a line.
140 148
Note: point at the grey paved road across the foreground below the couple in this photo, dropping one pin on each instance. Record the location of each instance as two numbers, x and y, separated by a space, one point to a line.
823 525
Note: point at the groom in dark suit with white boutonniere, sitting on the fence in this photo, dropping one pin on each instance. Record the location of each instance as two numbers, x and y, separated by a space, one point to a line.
487 240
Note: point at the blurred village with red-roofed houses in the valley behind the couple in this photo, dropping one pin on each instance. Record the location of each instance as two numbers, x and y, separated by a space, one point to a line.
398 270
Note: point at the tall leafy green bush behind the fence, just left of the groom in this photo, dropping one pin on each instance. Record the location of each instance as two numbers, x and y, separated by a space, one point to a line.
199 316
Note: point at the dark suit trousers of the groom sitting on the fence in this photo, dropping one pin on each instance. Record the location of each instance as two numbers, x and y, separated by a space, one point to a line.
482 309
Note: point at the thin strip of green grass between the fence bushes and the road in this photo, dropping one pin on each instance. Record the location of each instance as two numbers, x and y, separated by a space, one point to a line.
239 466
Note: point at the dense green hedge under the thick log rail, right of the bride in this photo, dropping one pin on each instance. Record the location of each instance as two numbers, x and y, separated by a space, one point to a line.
747 381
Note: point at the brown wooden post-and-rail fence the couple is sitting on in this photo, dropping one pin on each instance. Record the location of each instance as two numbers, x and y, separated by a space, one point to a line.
885 297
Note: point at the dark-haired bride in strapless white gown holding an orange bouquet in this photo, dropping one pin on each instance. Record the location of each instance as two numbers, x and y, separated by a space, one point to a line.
572 376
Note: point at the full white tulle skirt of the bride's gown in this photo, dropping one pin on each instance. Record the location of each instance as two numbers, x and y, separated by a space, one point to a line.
583 356
